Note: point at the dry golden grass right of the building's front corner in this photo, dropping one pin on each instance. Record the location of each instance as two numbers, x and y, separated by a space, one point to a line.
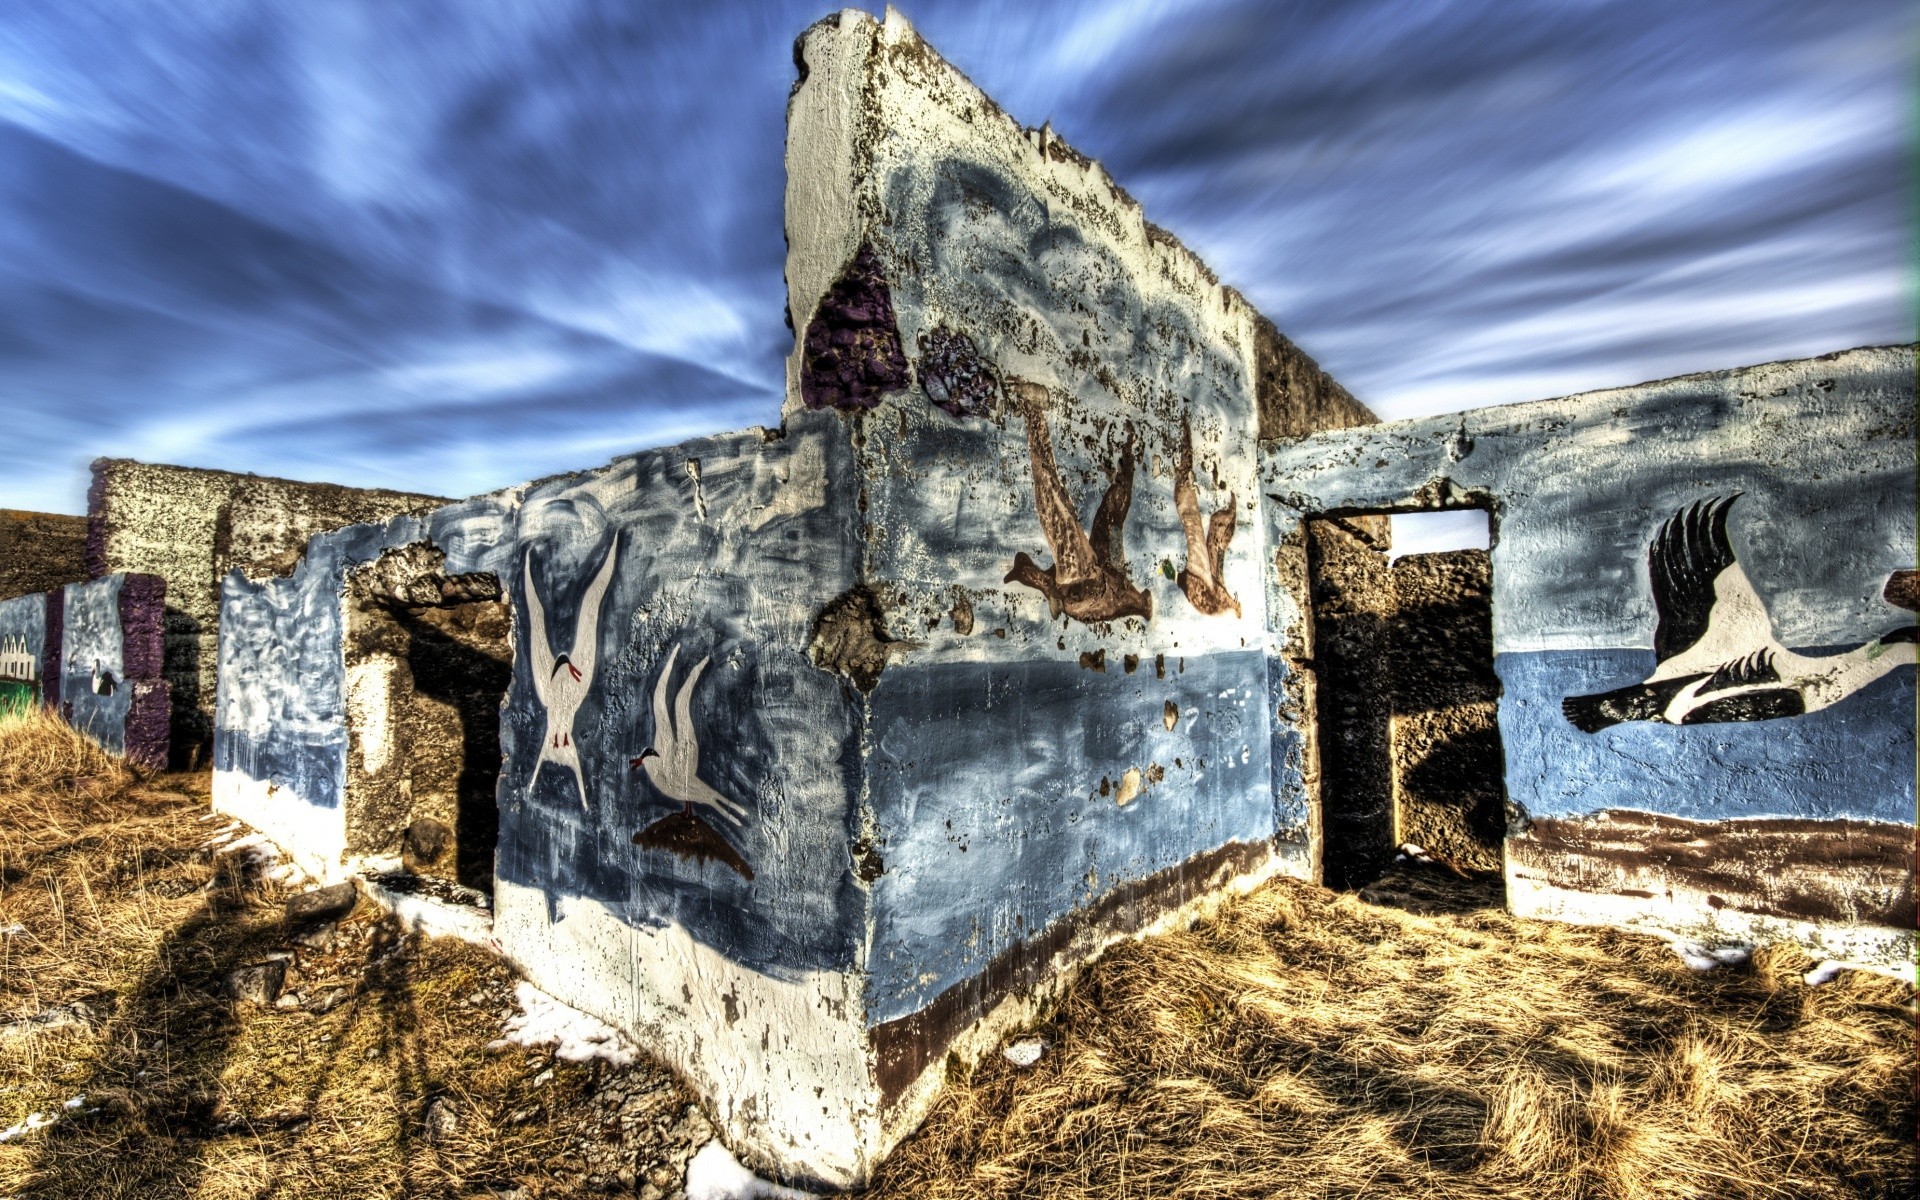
1320 1045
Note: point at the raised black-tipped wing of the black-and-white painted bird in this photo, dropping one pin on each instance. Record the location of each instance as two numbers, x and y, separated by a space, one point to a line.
1708 610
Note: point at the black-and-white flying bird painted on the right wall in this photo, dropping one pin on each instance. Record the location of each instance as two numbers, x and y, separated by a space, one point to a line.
1717 658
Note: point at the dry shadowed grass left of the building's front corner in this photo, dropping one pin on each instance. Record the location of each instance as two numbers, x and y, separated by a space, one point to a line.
124 909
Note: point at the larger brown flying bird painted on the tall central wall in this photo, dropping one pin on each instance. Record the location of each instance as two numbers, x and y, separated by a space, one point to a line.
1090 575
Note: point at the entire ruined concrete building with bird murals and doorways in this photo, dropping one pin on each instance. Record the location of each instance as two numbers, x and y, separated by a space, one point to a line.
1057 610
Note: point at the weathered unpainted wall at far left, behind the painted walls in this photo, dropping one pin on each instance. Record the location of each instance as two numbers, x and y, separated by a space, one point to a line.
191 527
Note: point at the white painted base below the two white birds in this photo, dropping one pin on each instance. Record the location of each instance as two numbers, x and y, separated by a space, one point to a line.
782 1063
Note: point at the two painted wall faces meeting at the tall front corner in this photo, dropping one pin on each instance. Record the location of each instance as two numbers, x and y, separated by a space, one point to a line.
830 752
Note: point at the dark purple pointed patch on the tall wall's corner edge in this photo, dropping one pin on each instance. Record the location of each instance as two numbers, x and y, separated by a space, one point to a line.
853 354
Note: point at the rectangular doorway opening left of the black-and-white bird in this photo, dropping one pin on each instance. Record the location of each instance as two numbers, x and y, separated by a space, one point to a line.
1406 698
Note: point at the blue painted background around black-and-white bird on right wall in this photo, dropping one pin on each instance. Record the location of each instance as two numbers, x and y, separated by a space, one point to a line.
1823 458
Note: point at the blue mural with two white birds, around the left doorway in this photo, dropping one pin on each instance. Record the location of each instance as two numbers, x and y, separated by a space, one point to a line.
661 686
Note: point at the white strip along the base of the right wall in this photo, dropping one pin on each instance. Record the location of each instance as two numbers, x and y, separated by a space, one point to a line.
1685 917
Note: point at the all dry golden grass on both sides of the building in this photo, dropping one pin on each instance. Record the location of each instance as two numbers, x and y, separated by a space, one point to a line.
1305 1045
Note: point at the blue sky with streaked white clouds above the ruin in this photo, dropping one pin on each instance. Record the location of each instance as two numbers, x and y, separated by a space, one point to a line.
460 245
